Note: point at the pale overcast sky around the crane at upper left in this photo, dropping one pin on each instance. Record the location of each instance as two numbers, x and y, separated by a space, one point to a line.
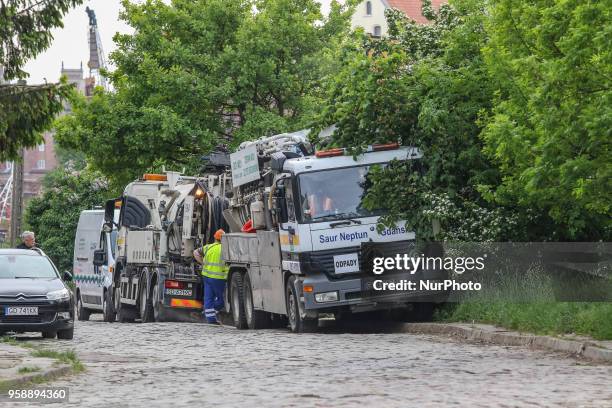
70 43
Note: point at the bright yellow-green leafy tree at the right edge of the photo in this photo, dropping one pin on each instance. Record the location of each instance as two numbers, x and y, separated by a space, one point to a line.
551 127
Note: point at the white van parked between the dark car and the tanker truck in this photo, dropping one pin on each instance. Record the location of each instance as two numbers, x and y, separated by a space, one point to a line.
93 278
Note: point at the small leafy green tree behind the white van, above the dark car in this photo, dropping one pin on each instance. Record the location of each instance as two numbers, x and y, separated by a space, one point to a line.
54 215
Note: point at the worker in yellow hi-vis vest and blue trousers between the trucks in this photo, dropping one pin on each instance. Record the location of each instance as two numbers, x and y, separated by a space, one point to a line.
214 275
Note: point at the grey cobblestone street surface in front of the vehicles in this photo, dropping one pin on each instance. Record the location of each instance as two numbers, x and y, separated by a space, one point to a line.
182 364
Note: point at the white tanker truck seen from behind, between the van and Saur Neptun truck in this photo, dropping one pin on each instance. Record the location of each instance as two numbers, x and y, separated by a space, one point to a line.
162 218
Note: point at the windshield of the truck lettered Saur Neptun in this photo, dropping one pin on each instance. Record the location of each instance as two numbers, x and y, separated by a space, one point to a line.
335 194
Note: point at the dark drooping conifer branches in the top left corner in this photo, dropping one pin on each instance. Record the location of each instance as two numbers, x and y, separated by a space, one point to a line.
25 111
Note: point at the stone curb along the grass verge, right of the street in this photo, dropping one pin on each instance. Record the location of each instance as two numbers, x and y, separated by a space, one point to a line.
581 349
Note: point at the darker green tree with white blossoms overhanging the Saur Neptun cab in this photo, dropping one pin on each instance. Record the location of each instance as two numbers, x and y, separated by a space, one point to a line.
424 86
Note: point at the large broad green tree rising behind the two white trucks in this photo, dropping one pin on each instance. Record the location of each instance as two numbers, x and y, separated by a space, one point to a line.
198 73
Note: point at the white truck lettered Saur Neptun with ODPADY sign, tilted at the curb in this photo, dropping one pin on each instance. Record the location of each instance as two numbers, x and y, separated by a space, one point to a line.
309 252
